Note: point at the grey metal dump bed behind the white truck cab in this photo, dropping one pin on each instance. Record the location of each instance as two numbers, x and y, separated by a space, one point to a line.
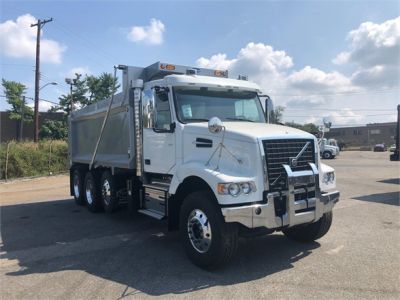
116 147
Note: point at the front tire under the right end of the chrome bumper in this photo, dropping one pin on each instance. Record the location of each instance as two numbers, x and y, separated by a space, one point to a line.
310 232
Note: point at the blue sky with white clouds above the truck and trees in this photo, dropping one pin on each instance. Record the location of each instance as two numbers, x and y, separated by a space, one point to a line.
318 59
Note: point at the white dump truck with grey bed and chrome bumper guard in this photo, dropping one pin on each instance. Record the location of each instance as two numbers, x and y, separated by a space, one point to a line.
192 146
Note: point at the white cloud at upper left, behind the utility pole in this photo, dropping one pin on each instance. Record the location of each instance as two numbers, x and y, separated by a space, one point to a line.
18 39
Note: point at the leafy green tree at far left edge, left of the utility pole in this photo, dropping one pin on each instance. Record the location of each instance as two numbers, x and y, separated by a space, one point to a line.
15 92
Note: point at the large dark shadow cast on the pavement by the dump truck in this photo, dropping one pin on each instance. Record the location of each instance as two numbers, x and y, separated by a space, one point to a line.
135 251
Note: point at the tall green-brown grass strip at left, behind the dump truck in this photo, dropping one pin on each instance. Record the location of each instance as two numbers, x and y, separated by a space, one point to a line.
26 159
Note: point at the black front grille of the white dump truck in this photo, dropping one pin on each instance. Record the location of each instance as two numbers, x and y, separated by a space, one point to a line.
279 152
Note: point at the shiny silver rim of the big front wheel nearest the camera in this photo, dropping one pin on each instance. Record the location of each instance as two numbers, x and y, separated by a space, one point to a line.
199 231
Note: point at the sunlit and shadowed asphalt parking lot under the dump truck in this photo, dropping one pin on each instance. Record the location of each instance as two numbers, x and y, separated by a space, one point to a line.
51 248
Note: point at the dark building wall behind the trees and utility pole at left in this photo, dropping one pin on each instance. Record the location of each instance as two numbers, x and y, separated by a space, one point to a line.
9 128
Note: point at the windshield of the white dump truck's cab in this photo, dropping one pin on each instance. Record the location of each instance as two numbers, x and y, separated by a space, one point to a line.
200 105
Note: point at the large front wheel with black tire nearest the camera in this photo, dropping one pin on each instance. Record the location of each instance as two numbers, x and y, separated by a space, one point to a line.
208 241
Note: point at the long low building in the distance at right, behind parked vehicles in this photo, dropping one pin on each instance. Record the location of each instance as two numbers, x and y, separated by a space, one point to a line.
368 135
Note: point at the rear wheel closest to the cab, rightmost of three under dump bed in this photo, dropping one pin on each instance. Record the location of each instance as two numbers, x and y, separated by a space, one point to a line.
108 186
